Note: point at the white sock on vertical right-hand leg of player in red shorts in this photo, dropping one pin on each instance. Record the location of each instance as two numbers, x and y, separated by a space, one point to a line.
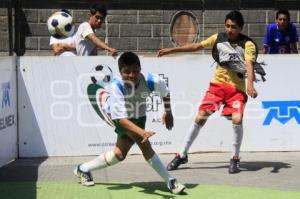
237 139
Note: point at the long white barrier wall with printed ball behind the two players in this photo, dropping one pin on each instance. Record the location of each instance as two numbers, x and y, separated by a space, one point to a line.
57 119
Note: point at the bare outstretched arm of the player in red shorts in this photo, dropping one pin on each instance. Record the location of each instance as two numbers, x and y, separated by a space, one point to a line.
186 48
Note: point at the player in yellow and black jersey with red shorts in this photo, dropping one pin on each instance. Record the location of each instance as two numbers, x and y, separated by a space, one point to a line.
235 55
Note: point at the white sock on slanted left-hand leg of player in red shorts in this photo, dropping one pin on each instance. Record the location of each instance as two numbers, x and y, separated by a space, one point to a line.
189 139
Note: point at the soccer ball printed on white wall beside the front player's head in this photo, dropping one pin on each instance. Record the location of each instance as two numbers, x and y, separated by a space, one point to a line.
102 75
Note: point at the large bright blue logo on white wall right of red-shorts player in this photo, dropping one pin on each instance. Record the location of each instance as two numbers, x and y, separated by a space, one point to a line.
282 111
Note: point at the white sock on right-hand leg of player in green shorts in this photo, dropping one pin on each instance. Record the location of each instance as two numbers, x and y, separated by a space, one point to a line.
159 167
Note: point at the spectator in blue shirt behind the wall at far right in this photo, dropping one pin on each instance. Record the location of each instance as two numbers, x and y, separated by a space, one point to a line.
281 37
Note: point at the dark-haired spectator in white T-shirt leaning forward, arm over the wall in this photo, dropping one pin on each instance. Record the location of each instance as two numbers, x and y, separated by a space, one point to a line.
86 40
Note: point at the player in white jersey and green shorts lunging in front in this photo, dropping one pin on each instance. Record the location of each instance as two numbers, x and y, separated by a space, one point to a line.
127 106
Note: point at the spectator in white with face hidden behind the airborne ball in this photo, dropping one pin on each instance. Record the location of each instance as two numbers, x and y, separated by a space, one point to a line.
63 47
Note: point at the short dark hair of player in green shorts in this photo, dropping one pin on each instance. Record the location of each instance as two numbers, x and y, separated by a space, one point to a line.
129 59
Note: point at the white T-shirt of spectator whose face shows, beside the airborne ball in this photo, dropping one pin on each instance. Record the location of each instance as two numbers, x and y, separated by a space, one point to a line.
85 47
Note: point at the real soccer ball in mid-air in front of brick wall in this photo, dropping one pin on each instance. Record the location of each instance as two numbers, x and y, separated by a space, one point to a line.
60 25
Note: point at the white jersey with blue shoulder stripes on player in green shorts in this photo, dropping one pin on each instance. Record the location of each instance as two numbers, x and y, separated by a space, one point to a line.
130 102
